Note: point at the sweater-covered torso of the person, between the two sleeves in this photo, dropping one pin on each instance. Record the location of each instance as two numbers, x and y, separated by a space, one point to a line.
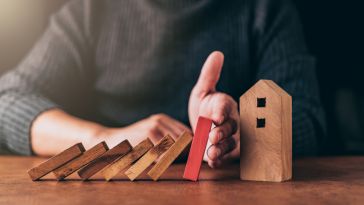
148 55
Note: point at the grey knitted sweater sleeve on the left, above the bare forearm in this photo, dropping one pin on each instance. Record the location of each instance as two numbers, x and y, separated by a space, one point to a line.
48 77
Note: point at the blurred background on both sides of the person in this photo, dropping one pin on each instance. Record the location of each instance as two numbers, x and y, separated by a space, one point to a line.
333 31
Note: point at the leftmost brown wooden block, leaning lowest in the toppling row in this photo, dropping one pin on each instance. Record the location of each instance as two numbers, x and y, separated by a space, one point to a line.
56 161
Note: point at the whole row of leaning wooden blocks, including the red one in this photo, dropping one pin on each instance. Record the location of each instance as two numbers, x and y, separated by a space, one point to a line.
110 162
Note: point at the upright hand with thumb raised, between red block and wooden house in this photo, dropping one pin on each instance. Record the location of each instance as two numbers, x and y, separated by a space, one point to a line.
224 140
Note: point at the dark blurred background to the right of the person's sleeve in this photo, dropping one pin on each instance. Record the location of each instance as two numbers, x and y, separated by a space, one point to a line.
334 32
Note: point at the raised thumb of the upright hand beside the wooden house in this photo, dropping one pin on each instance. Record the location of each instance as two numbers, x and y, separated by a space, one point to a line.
210 73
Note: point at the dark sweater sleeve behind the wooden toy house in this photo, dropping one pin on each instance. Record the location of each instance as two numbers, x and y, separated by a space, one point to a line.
281 55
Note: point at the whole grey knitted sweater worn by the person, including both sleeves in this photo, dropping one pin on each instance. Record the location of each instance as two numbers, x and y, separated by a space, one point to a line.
116 62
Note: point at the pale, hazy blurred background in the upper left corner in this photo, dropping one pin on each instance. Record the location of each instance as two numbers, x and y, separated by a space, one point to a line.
21 23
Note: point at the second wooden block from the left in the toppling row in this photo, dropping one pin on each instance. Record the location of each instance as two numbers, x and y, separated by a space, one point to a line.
72 166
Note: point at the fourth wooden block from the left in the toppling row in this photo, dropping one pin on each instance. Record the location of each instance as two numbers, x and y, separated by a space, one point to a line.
120 164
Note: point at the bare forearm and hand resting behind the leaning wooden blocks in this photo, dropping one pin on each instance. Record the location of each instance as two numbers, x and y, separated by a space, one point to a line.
71 130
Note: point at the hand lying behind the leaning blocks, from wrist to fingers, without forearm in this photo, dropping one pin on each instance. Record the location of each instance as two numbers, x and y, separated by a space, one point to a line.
155 127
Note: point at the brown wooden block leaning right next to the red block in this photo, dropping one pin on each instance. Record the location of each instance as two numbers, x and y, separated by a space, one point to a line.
170 155
